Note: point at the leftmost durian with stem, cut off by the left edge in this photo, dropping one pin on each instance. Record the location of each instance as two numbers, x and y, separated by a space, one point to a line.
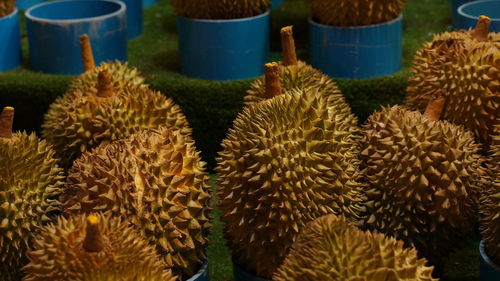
29 186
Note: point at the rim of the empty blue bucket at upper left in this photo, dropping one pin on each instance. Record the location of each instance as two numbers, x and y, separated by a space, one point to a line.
28 15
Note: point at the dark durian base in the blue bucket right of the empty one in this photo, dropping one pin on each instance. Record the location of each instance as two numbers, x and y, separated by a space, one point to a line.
215 9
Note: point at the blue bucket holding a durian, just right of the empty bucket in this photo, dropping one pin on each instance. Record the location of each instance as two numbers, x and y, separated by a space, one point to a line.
223 49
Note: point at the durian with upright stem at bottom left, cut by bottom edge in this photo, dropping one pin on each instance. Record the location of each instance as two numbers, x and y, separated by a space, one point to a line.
93 248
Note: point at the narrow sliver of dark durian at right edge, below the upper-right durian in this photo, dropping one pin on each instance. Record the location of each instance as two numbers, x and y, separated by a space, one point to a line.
490 205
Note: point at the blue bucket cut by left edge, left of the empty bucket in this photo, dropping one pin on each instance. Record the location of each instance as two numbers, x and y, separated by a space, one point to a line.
10 48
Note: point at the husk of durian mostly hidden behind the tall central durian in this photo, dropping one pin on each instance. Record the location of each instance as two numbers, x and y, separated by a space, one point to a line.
301 76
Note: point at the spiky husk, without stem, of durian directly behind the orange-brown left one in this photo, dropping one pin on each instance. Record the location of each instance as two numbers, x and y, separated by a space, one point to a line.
80 121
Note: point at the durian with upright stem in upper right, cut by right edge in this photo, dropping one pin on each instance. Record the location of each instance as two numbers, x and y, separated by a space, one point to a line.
466 64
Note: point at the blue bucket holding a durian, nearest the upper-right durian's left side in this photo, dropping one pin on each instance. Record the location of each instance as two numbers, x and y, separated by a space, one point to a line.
357 52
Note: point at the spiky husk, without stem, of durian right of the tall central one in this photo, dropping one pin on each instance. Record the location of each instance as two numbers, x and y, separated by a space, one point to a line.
423 177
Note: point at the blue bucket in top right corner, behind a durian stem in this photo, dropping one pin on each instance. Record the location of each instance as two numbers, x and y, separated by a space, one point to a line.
469 14
